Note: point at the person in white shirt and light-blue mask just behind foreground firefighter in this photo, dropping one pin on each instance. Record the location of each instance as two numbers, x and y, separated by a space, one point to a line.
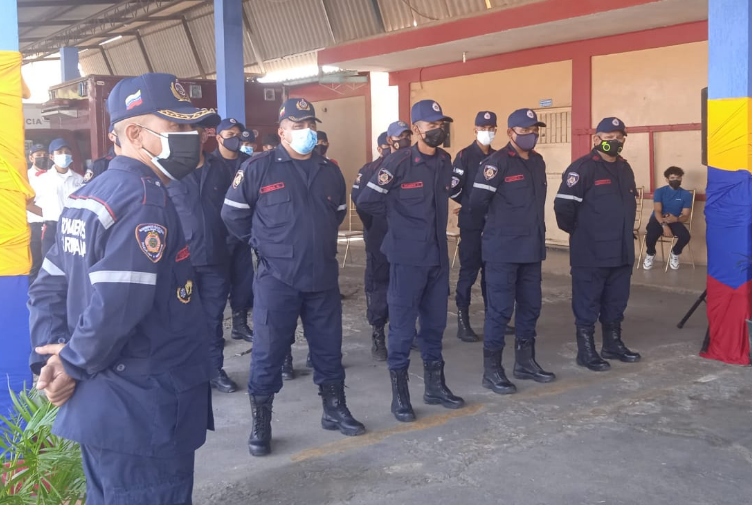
56 186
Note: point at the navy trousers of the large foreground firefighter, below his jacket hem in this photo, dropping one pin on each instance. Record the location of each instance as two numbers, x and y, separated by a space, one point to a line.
125 479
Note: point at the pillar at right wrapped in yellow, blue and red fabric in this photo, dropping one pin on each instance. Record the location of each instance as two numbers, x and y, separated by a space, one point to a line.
728 209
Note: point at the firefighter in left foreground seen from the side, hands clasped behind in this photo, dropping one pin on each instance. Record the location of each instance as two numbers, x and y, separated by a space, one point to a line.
118 328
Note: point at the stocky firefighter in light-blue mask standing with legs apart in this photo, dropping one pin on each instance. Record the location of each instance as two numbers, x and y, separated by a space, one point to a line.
288 203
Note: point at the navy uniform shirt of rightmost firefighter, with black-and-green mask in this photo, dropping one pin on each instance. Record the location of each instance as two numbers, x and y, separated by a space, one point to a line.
596 204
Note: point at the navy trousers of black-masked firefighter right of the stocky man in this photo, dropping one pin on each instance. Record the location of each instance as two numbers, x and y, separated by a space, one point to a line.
416 293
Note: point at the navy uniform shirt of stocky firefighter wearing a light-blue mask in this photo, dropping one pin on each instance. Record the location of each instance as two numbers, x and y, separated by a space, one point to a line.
289 211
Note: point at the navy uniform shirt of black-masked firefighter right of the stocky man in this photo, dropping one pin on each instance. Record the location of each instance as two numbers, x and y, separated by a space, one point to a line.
412 190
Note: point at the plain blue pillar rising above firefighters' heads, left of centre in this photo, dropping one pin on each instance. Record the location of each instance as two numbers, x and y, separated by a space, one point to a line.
228 33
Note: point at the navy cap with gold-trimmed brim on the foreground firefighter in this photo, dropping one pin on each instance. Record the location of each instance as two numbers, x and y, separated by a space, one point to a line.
154 93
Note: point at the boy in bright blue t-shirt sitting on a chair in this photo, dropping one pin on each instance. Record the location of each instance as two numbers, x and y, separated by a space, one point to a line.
672 206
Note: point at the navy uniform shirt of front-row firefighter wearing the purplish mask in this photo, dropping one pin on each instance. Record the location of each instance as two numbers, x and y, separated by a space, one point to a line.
511 193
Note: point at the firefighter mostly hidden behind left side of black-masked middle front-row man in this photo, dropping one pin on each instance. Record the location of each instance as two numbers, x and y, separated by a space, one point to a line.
377 266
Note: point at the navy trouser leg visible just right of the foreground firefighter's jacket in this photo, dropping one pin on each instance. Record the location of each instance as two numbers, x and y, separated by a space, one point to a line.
213 285
